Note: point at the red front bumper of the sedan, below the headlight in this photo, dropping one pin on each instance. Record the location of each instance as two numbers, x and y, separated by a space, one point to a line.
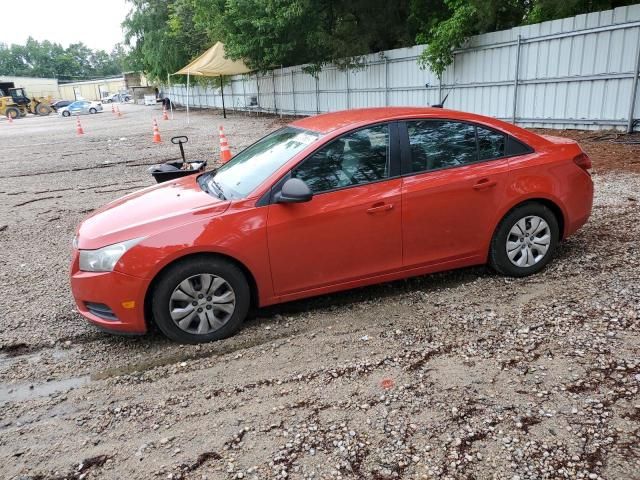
122 294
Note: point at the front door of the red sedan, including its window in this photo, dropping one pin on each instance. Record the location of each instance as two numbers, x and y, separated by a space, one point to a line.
351 228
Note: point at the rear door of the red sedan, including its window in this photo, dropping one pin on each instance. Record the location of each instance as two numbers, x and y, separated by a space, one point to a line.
455 178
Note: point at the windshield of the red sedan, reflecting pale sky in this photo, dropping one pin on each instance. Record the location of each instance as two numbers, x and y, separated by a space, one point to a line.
248 169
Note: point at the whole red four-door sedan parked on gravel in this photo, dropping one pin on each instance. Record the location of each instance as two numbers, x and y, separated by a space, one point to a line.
329 203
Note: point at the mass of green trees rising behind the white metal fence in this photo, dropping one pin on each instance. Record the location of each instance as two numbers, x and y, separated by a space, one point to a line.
167 34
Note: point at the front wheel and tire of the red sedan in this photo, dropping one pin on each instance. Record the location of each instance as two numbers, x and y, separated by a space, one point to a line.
184 284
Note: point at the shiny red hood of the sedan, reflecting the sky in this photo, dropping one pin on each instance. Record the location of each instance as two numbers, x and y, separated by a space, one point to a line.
148 211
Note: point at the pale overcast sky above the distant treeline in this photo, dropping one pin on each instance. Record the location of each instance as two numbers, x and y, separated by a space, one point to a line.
96 23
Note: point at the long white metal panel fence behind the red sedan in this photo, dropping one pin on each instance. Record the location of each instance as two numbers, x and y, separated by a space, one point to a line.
578 72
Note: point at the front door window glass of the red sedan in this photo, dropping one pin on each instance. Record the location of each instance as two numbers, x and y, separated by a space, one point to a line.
354 159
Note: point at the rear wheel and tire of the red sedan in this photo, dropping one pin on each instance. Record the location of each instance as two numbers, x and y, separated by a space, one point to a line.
516 253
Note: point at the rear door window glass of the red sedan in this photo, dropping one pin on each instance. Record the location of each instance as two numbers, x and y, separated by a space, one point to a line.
439 144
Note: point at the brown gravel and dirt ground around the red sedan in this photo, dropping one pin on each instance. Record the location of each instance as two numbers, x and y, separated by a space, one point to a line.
463 374
